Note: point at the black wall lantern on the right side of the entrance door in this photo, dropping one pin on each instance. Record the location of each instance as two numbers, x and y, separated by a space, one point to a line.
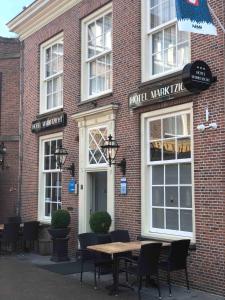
110 148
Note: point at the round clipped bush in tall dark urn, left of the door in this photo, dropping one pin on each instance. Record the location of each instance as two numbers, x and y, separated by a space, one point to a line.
59 231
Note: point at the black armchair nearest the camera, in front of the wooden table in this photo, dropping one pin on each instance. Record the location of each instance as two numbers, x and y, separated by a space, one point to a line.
146 265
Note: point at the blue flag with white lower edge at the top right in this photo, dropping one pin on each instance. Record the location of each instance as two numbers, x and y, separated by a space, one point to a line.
194 16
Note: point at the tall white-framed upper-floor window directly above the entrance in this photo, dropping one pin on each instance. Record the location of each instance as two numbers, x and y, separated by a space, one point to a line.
97 54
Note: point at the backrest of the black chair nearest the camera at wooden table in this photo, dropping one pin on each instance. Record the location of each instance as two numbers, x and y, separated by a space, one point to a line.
149 259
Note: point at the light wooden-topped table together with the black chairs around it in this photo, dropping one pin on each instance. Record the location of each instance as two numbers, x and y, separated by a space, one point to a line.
115 251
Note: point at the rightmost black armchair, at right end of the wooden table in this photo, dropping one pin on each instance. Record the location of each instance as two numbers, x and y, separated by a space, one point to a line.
177 260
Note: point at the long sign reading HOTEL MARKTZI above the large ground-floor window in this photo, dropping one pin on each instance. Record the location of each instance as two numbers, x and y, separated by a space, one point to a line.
166 90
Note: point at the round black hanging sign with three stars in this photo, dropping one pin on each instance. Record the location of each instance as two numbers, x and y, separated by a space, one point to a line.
197 76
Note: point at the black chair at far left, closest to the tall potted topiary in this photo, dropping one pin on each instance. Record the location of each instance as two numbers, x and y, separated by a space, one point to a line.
30 234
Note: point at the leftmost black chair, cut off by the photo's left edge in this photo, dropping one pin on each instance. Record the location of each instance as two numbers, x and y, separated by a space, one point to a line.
10 236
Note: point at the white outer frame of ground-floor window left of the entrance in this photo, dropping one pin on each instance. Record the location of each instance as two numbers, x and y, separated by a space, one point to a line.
41 184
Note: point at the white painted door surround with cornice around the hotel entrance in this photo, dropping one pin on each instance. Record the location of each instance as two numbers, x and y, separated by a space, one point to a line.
102 116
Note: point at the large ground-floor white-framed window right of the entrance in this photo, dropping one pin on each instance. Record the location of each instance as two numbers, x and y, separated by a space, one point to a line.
169 194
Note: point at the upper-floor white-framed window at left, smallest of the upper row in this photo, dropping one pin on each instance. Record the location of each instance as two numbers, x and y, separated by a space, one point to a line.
51 75
